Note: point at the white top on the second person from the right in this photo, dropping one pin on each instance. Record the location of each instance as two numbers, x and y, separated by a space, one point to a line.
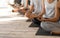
37 5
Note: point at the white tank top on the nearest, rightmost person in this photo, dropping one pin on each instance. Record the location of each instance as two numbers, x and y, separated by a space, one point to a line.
50 9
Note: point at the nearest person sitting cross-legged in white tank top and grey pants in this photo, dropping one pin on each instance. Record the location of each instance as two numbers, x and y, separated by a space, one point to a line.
51 18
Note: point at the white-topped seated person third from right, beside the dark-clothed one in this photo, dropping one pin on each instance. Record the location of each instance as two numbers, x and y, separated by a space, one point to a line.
23 7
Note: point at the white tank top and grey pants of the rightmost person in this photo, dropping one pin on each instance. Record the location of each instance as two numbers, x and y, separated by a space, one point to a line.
50 11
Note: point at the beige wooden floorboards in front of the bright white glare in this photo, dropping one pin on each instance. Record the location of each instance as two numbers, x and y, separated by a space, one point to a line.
19 29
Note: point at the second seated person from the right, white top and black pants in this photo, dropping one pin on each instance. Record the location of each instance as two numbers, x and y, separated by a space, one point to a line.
35 11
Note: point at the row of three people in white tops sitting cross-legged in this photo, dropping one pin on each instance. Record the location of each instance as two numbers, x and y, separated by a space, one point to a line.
45 13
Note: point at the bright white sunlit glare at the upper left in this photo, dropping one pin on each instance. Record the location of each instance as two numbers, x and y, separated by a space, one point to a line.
5 11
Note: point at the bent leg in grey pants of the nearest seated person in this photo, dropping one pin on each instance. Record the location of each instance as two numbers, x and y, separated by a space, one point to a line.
49 26
